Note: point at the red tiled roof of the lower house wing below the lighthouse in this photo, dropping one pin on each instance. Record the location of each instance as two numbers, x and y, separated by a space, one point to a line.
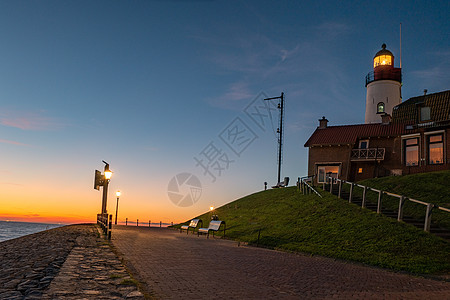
349 134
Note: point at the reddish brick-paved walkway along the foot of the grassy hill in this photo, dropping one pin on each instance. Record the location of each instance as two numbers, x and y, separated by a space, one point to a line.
174 265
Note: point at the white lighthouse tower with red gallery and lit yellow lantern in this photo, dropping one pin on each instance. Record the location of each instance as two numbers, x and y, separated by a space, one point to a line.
384 86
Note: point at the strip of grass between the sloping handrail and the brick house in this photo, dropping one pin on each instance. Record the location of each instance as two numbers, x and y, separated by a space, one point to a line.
428 187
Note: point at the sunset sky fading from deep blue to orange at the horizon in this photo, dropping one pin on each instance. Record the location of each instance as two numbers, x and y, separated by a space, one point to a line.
155 87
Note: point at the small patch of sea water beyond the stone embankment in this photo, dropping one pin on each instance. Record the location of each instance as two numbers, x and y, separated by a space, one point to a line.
11 230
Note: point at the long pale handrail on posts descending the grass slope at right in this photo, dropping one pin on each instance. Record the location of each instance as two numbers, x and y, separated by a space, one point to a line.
402 198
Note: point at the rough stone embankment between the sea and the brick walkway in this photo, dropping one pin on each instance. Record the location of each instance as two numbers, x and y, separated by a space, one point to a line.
70 262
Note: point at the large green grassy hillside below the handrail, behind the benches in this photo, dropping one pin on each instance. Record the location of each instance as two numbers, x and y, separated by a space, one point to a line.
331 227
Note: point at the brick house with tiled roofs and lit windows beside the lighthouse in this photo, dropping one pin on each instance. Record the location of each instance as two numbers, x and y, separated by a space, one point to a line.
415 139
